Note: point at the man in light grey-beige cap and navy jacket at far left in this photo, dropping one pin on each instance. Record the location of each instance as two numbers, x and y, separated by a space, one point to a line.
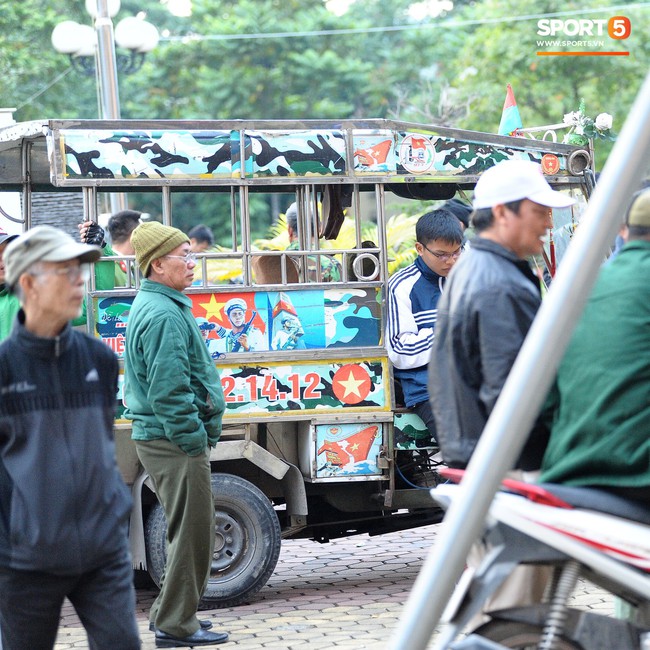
64 508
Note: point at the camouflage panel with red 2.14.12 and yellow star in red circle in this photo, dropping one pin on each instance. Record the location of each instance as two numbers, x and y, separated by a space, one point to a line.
298 388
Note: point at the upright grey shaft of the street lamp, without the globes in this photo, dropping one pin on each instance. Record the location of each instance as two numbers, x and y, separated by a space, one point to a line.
107 78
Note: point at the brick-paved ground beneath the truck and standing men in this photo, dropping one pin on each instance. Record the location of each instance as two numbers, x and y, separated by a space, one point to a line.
347 594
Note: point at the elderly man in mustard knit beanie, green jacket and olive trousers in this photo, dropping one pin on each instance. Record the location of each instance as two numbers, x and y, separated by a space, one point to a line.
173 395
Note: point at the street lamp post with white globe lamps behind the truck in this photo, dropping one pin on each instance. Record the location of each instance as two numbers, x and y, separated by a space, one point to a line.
92 51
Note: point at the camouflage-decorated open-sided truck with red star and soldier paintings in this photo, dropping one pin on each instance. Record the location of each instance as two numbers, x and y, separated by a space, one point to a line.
314 444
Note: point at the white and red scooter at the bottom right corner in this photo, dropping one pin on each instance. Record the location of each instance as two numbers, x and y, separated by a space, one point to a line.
581 532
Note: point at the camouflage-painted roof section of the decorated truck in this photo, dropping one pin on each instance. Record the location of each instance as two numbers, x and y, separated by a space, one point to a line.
140 154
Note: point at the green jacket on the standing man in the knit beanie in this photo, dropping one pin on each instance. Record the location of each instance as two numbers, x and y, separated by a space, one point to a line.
171 386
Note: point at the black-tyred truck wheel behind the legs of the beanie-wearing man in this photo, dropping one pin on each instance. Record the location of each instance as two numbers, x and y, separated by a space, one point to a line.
247 542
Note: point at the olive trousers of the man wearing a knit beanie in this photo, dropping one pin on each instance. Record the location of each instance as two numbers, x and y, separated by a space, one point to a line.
184 490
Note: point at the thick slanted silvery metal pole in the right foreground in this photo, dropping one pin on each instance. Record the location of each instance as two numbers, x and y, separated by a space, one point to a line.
529 380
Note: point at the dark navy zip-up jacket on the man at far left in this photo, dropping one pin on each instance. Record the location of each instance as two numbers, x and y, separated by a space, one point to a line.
63 505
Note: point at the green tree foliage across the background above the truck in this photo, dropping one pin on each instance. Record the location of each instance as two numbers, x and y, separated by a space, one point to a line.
294 59
